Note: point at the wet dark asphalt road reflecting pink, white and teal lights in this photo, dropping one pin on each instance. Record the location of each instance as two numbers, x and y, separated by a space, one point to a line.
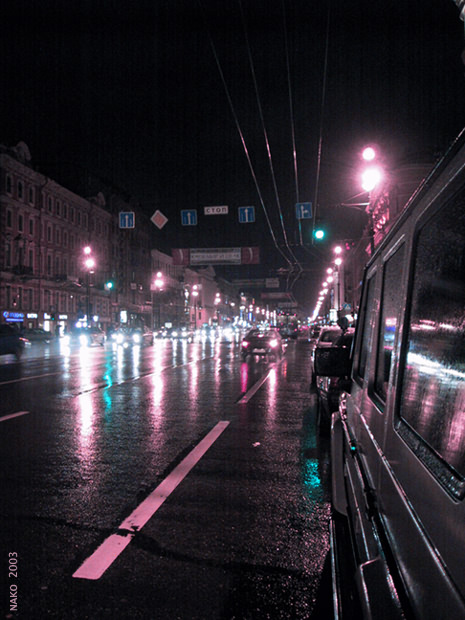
204 472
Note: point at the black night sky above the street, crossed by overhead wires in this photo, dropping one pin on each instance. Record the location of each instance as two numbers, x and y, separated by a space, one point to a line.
148 96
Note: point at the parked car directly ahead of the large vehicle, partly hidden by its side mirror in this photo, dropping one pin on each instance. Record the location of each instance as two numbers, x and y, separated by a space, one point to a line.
328 389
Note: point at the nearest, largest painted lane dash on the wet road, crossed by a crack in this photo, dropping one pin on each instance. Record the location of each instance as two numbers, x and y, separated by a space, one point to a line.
102 558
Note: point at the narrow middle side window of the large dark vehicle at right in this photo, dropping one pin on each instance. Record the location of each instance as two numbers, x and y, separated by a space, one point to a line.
390 306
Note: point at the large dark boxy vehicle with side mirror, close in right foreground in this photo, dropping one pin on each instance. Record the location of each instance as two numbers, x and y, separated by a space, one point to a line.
398 438
